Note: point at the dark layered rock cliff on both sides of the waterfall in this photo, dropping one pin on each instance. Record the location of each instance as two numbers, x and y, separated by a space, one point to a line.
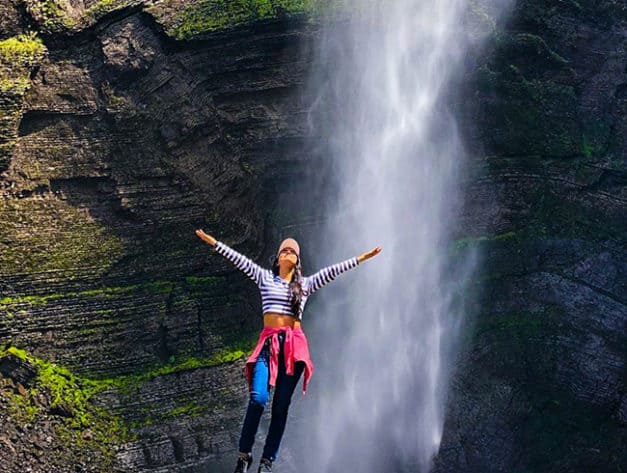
124 128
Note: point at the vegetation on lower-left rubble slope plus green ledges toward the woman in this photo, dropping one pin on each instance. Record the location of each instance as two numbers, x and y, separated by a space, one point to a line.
63 411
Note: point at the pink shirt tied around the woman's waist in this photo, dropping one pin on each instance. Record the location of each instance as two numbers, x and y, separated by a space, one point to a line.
295 348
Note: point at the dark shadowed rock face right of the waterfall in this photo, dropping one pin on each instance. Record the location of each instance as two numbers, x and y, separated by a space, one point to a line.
541 386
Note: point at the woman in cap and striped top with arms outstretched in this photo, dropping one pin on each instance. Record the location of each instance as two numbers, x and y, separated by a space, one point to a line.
281 355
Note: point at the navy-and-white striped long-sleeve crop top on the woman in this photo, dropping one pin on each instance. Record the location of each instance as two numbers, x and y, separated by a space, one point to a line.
275 293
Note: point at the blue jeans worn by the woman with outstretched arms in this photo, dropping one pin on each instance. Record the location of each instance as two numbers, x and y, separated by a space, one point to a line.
259 396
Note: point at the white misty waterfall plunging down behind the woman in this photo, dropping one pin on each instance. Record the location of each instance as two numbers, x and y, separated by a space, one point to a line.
382 339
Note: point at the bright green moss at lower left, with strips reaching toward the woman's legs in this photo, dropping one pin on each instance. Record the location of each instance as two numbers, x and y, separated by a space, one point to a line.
74 396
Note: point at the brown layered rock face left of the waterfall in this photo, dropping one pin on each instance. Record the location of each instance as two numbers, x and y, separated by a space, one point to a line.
120 143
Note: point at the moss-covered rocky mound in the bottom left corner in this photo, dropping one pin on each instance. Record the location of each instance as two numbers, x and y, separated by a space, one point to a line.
58 399
